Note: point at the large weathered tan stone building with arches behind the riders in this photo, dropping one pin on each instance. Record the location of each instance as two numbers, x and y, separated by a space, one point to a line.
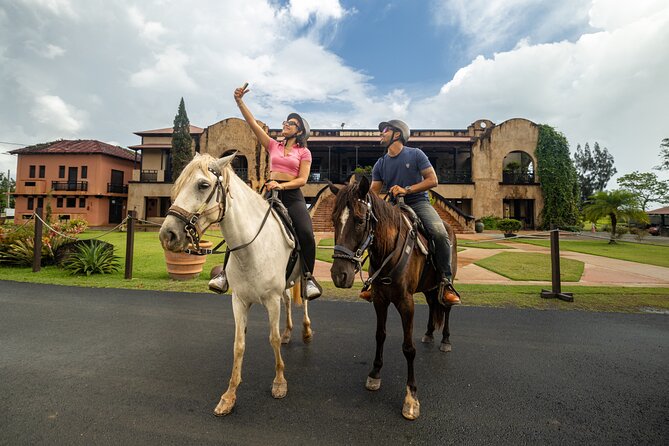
486 169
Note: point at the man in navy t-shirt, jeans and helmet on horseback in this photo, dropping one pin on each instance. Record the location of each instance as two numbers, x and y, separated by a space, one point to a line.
407 171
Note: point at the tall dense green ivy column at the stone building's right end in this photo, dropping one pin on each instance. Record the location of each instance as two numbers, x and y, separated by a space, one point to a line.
559 181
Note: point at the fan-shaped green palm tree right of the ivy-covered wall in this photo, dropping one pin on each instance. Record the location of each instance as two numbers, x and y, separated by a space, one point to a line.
616 204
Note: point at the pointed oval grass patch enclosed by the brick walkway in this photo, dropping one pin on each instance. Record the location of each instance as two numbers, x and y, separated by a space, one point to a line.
525 266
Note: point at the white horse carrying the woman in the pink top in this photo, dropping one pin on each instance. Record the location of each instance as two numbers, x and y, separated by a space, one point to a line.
206 192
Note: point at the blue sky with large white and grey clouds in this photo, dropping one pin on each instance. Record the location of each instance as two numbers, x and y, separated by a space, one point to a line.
597 70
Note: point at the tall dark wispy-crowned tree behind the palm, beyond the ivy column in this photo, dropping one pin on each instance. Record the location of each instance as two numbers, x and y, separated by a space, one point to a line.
594 168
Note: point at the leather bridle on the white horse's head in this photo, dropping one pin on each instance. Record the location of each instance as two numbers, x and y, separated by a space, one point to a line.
191 219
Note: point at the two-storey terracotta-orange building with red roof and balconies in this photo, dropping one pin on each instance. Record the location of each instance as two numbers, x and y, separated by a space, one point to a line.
74 179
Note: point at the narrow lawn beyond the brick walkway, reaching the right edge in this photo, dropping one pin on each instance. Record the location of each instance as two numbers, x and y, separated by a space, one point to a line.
633 252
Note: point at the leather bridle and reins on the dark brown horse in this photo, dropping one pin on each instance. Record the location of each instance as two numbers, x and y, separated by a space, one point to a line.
342 252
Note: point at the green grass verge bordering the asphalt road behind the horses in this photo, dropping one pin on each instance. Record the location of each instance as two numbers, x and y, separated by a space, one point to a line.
150 273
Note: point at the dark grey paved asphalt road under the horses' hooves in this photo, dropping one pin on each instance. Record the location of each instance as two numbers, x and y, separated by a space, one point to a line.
106 366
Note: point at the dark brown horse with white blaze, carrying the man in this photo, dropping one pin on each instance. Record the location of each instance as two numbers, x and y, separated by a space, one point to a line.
398 268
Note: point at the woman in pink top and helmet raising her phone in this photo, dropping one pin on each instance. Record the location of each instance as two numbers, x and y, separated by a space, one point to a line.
290 162
